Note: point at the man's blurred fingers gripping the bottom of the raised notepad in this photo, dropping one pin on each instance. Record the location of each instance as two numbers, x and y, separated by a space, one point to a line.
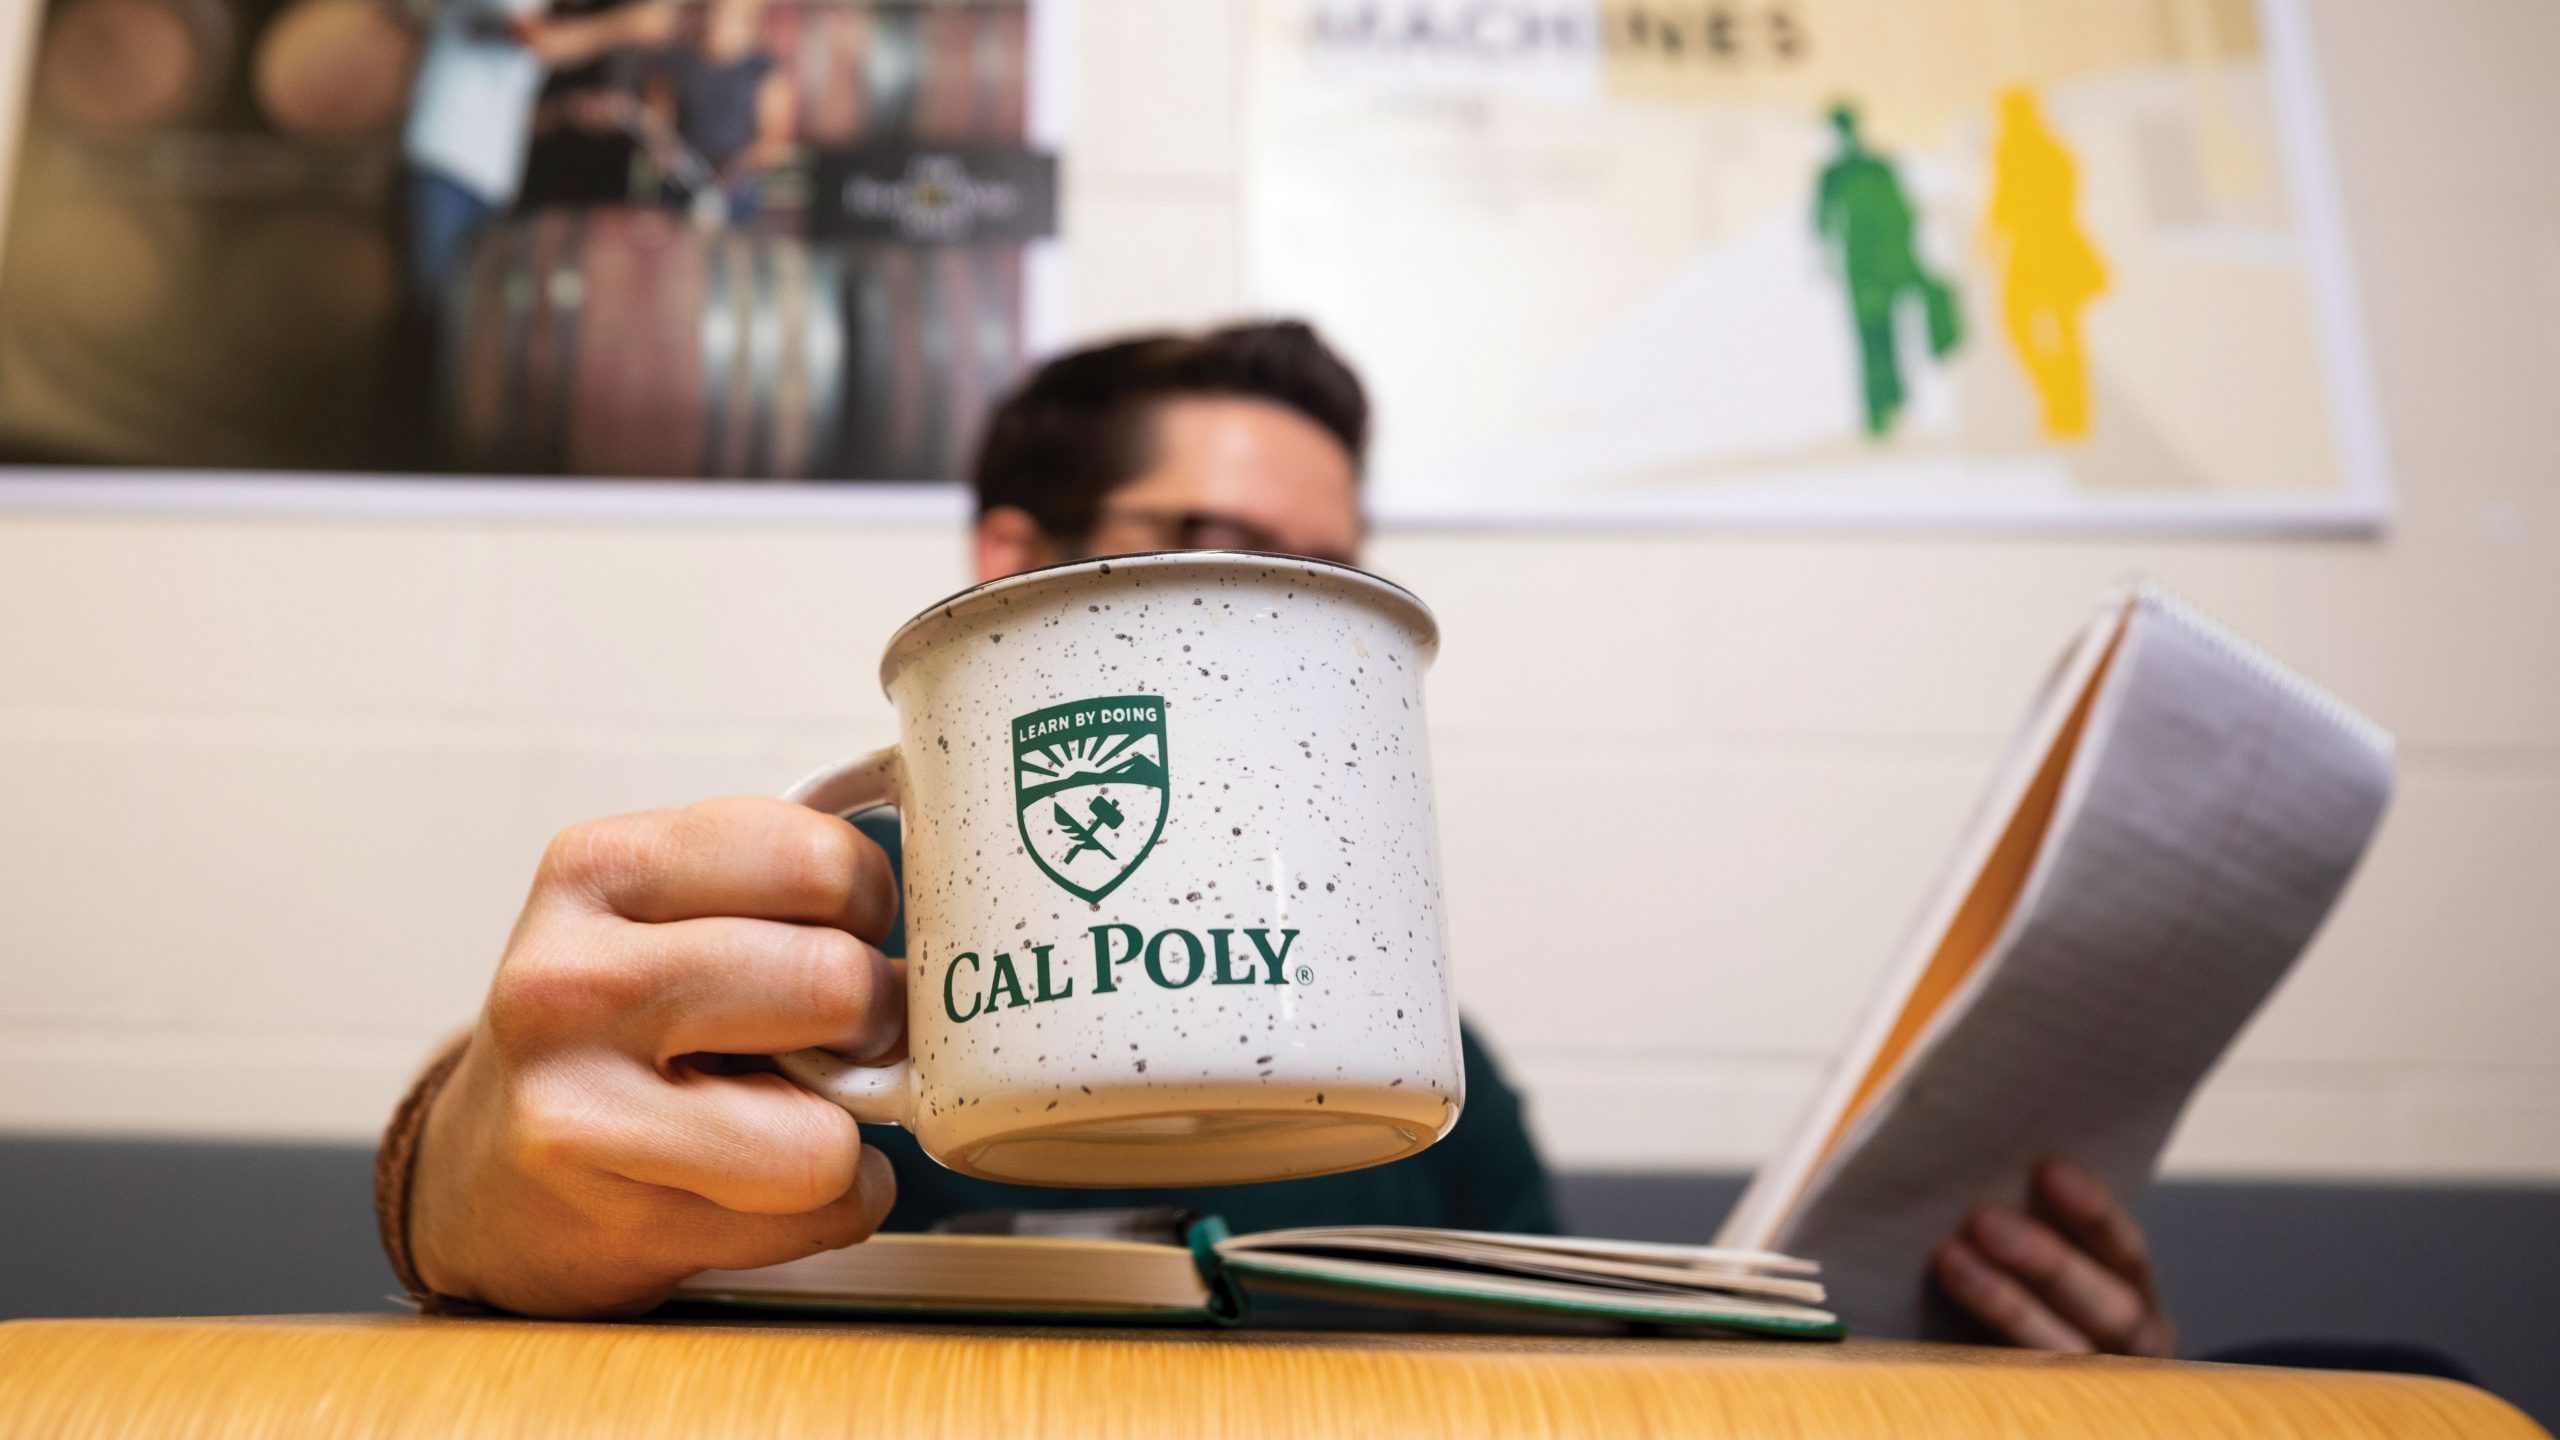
2070 1277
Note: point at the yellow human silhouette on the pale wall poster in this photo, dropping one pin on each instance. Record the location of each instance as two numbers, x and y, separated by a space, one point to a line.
2049 268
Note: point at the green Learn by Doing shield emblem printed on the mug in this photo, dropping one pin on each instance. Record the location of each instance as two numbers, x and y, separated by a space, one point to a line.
1089 788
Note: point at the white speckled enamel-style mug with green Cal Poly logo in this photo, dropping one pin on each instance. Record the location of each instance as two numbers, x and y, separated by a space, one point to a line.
1174 901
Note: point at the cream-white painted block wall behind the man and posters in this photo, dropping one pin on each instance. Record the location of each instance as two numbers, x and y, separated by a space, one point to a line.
270 790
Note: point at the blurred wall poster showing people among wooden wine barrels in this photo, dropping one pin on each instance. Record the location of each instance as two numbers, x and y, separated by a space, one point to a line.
531 245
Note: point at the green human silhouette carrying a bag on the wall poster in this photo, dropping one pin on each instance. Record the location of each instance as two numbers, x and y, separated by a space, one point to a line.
1868 224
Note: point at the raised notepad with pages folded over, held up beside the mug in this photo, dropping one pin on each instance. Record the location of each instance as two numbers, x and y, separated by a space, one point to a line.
2159 844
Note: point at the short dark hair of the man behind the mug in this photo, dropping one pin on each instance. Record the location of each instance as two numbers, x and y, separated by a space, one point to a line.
1084 424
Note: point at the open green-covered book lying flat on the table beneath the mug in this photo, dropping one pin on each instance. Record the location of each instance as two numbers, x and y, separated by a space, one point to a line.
1171 1267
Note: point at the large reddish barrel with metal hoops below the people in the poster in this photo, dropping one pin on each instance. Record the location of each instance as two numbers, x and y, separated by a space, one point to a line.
634 345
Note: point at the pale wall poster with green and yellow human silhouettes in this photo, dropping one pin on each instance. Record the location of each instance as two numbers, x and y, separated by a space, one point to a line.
1983 263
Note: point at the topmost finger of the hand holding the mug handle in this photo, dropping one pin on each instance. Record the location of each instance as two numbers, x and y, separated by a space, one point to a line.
751 857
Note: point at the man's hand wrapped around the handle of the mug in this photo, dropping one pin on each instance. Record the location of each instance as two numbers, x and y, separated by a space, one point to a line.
593 1149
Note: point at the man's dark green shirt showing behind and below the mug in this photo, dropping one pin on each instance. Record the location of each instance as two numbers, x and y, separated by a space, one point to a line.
1484 1175
